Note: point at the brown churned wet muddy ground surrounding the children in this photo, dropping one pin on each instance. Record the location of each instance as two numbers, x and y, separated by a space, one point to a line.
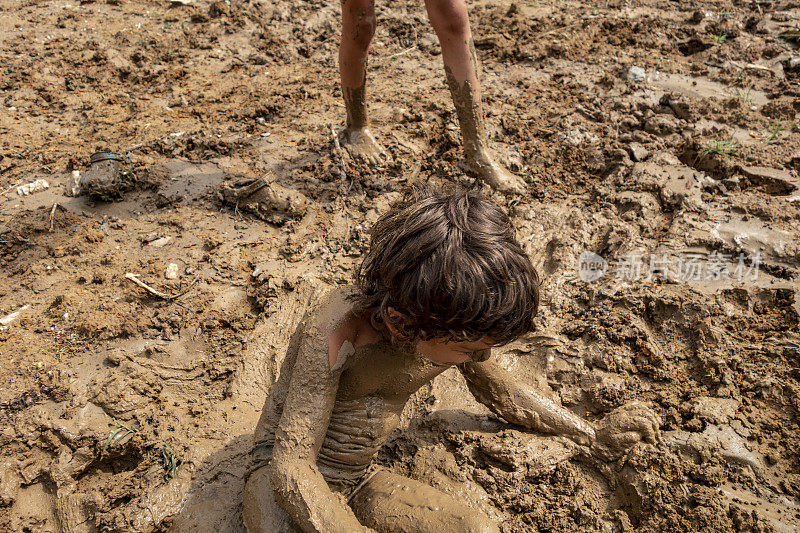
122 410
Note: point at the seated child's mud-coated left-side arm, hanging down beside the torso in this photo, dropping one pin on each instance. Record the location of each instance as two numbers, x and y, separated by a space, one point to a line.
299 487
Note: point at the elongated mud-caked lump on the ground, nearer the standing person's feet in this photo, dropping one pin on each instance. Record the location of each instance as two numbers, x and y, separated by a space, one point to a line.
266 200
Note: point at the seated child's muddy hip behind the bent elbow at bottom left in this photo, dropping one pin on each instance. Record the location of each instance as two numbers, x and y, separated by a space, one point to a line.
260 512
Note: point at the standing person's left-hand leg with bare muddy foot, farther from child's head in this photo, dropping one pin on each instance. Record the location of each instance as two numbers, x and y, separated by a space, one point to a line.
358 26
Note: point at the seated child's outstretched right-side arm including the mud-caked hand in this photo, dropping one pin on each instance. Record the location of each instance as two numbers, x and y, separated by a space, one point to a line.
519 403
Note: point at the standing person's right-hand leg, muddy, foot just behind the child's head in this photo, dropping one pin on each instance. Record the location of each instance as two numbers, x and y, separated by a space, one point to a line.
451 23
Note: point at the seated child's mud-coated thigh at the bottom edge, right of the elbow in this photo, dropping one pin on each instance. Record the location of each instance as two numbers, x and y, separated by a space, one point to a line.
395 504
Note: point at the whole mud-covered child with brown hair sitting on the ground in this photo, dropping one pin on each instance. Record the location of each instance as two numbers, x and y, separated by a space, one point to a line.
443 282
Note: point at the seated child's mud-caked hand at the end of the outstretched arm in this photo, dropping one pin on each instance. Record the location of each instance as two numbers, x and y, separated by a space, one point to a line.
624 427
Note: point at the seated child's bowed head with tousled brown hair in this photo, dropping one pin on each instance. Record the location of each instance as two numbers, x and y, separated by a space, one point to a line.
447 267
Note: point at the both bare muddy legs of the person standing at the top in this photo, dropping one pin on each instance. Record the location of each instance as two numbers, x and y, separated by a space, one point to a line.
451 23
